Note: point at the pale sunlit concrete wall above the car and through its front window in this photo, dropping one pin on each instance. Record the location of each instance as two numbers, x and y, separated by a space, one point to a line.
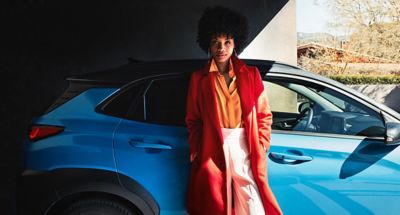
278 41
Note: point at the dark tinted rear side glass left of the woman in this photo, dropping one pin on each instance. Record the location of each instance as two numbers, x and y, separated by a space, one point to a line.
157 101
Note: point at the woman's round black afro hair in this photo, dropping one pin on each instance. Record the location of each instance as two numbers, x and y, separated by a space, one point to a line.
222 21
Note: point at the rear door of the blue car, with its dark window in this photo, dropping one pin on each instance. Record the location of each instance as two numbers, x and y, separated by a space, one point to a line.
151 142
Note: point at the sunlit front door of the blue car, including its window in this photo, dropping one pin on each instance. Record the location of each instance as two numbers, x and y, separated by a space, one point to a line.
327 154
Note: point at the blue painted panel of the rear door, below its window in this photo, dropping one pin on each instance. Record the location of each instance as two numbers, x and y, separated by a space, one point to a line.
163 171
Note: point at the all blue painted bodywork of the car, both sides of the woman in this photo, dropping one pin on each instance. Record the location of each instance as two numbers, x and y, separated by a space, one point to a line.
341 178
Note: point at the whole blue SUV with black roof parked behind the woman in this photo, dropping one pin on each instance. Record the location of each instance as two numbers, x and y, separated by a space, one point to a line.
115 142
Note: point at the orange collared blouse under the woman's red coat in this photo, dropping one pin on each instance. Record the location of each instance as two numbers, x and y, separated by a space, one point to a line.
228 100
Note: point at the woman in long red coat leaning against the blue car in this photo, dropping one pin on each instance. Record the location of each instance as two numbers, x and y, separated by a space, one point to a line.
229 124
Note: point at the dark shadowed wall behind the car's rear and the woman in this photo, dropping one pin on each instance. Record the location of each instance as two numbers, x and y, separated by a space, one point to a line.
44 41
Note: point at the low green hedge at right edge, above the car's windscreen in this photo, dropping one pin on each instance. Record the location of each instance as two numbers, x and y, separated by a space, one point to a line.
366 79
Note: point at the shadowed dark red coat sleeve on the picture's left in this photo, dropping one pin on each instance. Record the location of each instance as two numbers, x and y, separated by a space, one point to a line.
193 116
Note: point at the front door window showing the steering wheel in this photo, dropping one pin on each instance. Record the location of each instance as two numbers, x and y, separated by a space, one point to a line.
307 107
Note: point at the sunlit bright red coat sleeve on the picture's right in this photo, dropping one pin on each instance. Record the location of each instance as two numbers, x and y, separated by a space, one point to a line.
264 115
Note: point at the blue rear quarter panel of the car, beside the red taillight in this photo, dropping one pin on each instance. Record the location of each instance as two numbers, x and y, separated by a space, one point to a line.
86 141
